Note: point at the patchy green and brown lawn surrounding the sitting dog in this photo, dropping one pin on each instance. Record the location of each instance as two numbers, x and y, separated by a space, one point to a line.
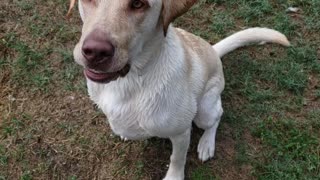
49 129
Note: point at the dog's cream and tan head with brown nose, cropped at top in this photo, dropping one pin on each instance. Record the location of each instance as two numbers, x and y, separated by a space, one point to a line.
115 32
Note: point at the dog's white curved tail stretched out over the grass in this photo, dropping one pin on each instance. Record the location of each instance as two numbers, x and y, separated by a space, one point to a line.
247 37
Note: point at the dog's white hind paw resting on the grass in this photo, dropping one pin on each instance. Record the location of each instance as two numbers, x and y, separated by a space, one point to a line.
206 147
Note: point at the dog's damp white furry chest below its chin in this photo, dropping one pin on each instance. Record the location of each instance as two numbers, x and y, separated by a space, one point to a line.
140 114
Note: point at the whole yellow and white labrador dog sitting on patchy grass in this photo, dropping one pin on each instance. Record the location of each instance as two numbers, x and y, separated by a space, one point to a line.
152 79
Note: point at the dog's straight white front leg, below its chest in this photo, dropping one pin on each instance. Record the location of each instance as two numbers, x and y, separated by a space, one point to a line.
180 145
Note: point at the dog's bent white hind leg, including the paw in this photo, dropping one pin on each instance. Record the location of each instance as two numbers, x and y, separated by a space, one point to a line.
208 118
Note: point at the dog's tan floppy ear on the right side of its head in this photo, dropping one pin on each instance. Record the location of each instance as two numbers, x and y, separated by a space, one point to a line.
171 9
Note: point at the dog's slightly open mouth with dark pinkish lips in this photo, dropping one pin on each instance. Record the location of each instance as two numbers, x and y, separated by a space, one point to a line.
100 77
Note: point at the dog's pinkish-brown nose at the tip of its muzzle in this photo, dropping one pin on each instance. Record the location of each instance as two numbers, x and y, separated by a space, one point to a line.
97 48
